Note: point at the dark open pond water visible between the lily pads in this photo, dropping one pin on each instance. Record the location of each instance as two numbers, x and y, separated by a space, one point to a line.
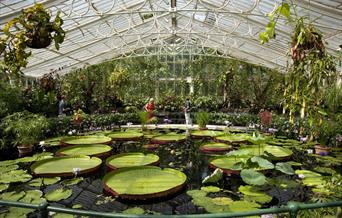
183 156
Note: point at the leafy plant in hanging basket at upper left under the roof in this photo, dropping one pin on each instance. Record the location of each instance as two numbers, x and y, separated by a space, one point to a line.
33 28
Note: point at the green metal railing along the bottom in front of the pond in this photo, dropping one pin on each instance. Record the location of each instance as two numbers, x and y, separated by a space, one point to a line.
292 208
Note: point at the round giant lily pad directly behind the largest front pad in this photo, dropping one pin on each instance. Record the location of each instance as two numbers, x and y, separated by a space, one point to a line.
131 160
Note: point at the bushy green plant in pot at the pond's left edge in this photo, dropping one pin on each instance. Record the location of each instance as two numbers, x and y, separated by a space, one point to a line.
25 128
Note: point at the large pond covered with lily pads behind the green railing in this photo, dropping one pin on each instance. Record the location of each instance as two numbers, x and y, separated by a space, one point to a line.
298 176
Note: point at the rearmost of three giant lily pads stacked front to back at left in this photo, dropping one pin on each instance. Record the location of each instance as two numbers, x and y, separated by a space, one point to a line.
86 140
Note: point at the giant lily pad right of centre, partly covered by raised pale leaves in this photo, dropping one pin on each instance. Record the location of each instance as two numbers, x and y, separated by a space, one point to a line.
226 163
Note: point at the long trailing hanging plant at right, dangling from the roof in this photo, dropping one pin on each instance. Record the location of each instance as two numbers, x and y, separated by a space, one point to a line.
312 71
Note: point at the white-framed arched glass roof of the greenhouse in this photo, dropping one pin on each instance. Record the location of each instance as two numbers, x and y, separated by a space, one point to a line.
99 30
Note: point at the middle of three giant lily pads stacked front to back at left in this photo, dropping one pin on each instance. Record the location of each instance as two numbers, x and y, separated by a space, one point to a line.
96 150
